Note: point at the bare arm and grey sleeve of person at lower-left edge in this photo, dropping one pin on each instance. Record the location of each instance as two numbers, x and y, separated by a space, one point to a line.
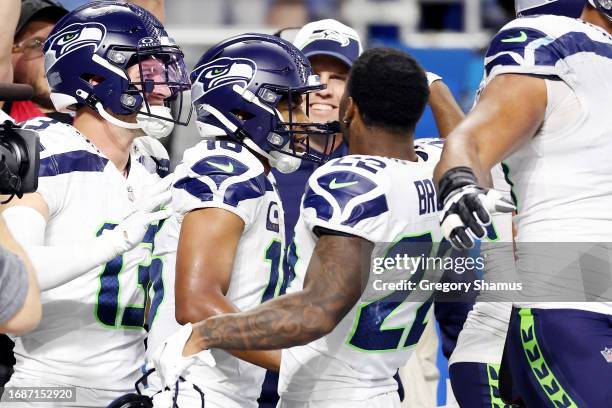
20 309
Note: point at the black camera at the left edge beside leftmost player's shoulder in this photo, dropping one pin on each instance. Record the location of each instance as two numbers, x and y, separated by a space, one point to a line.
19 160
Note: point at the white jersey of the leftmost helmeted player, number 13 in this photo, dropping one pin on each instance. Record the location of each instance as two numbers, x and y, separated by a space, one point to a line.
91 334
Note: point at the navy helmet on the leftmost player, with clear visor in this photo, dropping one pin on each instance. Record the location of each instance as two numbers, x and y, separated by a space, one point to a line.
88 55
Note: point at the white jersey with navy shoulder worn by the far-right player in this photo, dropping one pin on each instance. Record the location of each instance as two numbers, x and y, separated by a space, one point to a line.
562 178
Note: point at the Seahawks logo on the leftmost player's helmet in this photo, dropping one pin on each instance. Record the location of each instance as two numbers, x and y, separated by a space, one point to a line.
72 38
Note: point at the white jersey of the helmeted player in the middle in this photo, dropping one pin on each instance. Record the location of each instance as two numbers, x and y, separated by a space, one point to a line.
223 174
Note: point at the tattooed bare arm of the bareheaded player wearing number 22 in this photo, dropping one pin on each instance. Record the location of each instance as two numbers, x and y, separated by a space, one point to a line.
334 282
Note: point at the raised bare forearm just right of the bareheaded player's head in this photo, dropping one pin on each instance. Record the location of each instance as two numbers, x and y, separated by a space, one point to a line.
447 112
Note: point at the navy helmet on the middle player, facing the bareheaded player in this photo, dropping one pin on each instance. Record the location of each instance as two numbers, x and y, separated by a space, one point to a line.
236 88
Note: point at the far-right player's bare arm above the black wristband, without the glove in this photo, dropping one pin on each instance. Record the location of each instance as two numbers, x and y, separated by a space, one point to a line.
508 113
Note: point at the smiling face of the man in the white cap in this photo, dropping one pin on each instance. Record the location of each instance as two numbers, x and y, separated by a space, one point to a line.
323 105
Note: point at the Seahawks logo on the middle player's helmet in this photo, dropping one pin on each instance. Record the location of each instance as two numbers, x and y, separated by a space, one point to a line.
224 71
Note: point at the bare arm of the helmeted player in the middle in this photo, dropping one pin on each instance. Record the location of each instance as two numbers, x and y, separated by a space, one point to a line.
203 273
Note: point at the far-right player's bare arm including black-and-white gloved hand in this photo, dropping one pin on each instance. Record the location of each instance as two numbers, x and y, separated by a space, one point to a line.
509 112
